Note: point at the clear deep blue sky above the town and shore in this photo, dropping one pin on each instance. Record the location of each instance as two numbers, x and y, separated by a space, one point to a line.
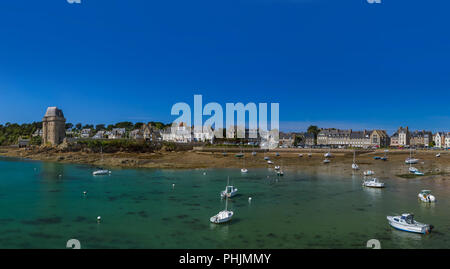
335 63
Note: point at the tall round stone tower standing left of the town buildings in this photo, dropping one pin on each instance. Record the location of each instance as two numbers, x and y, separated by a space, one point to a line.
53 126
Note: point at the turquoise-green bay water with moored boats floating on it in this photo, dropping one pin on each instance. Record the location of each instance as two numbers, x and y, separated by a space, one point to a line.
141 209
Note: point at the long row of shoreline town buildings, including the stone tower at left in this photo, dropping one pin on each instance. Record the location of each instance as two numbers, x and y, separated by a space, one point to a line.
53 132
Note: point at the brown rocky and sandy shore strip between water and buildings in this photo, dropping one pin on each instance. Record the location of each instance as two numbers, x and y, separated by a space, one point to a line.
433 167
